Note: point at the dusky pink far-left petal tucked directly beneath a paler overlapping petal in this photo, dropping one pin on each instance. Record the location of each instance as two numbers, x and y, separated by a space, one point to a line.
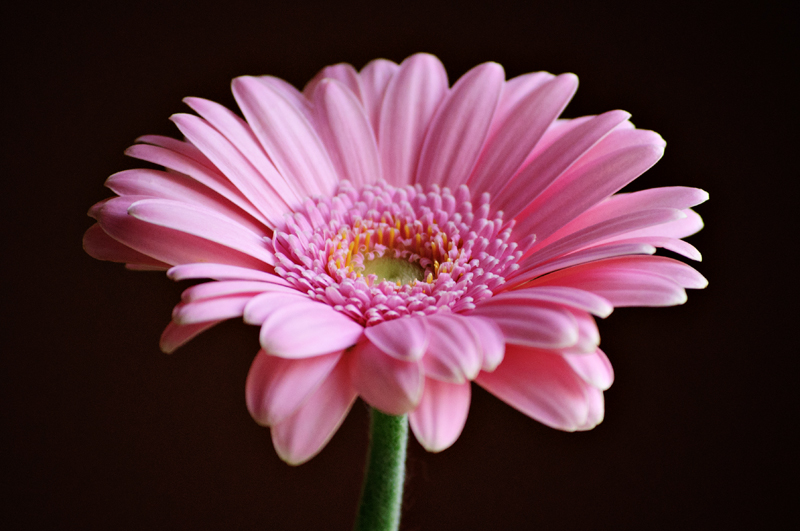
164 244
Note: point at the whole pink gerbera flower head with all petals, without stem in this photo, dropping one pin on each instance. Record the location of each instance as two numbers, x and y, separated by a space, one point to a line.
396 239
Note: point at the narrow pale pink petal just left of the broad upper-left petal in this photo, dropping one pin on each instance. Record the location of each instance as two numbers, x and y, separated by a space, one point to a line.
238 132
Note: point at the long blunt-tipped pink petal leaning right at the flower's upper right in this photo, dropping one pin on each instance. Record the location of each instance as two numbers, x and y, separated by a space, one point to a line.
512 140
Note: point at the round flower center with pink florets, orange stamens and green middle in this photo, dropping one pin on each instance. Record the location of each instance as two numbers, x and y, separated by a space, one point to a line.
382 252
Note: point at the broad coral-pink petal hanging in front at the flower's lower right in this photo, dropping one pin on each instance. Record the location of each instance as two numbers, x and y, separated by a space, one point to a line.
540 384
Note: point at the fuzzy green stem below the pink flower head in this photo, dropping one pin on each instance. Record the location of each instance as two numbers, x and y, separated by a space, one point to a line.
382 493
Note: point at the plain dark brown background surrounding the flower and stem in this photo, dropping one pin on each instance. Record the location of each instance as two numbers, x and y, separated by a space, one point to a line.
102 431
